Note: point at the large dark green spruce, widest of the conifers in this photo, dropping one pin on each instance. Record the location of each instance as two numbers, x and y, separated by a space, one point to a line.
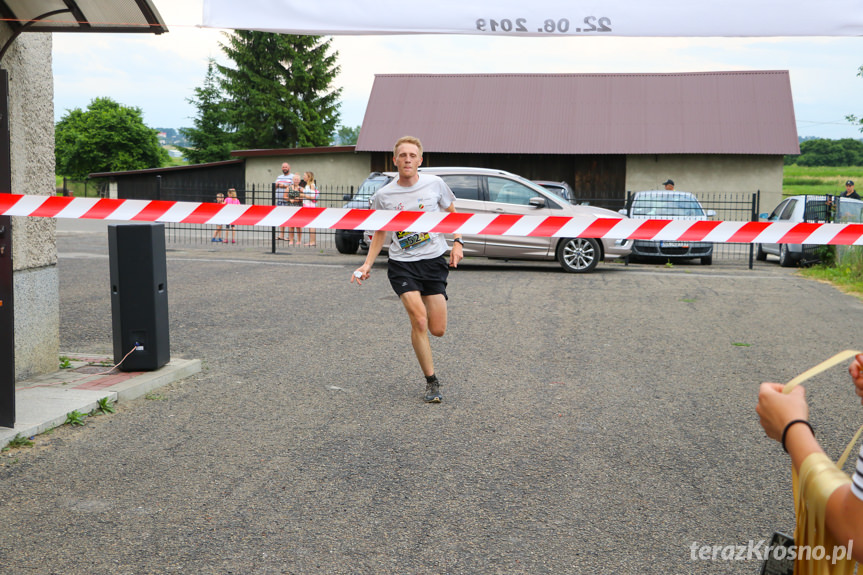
279 92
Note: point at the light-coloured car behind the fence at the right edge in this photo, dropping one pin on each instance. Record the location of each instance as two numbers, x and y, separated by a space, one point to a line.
813 209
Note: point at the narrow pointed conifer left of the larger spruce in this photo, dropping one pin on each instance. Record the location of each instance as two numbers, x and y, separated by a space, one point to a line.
208 140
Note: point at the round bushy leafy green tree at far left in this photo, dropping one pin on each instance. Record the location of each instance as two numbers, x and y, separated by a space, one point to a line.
107 137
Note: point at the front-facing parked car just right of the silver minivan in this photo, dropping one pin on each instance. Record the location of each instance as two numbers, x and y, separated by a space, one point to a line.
669 205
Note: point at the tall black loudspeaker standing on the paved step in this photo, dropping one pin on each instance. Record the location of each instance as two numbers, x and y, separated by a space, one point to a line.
139 295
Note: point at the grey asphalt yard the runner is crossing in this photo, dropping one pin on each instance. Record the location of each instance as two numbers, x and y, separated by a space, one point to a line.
591 424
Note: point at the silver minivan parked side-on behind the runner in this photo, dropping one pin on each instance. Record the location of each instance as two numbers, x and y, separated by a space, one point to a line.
497 192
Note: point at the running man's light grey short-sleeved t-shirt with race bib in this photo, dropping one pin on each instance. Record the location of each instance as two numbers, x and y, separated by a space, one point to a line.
429 194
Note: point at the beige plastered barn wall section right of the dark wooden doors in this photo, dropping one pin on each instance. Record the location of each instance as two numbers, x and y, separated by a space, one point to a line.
708 174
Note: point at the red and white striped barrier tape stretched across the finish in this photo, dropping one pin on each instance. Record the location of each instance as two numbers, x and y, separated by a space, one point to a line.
445 222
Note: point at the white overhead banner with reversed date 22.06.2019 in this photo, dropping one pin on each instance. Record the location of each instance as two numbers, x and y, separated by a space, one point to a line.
677 18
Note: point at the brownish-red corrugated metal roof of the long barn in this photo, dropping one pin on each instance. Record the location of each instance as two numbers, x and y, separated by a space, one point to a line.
748 112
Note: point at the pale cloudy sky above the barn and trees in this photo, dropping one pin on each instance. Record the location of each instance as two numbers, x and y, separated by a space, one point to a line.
159 73
